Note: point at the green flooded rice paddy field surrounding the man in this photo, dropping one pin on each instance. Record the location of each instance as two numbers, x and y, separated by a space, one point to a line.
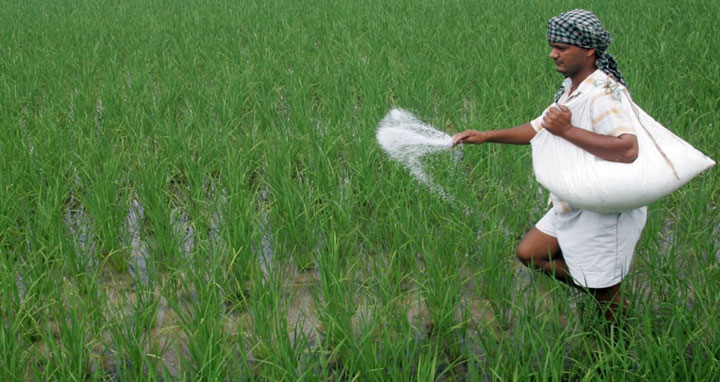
193 191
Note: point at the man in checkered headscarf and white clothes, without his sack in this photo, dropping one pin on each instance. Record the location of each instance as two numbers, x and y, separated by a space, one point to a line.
583 248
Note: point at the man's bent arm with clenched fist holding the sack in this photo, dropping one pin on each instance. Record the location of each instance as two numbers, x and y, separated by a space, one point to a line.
622 148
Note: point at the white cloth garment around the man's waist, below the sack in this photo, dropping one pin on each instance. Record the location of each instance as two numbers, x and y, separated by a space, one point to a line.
597 248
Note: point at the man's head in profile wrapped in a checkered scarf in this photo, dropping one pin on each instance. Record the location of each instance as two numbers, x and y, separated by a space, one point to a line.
577 38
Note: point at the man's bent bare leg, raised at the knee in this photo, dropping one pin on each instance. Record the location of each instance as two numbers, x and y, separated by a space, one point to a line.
541 251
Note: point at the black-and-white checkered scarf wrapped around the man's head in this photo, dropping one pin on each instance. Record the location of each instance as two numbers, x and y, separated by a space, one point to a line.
583 29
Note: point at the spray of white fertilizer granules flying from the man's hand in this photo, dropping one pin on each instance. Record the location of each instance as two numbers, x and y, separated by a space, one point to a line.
407 140
